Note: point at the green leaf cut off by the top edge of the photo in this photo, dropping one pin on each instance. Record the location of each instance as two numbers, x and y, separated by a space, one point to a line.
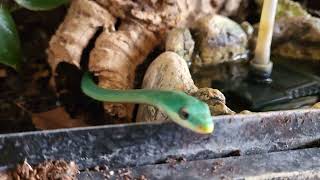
41 5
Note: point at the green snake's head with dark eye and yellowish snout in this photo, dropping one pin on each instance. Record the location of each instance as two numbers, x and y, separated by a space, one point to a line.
190 113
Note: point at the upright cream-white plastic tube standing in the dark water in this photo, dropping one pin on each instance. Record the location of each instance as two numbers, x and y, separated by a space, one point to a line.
261 61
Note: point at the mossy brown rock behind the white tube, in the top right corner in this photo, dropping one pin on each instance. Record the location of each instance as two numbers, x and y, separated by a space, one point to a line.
296 33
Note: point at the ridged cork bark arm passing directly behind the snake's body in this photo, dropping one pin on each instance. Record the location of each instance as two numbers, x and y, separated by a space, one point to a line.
115 58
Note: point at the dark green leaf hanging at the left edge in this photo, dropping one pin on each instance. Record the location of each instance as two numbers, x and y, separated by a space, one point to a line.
10 51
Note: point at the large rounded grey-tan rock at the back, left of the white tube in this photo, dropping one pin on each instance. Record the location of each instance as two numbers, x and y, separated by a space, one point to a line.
218 39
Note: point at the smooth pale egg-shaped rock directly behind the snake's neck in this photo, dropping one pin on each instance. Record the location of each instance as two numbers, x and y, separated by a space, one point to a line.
168 71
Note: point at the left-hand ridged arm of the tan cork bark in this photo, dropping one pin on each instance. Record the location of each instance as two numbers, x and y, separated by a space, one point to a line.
80 24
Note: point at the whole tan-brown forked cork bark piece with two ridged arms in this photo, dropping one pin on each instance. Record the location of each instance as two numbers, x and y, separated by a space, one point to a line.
119 50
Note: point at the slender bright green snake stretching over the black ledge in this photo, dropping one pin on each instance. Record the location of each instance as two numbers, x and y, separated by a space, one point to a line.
183 109
